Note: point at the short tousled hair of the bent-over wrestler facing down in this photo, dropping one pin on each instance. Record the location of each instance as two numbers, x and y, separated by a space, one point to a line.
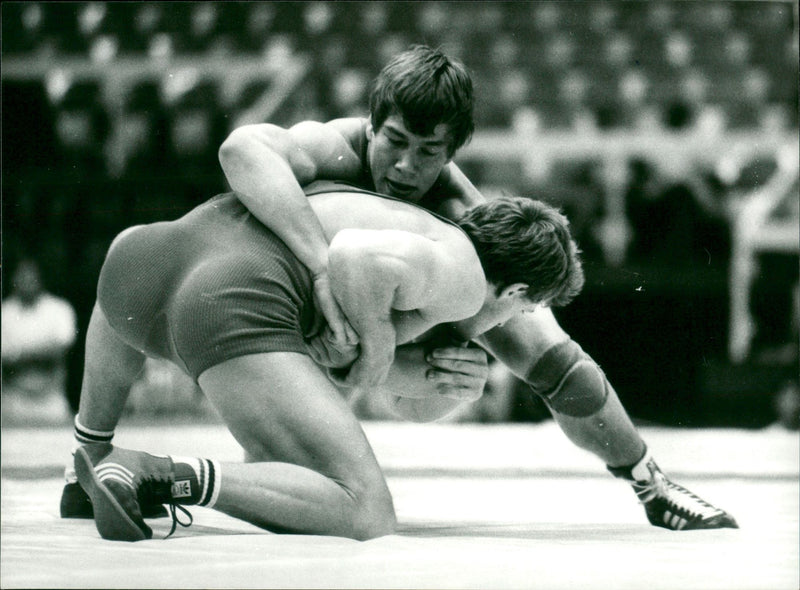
520 240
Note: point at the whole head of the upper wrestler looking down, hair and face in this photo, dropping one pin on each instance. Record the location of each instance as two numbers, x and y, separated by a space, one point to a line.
420 114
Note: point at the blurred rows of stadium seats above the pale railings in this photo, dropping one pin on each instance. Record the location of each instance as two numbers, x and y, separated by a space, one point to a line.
600 63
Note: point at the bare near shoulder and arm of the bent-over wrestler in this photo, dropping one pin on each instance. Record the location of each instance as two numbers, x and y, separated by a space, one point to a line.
393 285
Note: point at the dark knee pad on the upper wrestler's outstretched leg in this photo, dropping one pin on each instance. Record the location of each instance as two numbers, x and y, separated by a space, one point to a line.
569 380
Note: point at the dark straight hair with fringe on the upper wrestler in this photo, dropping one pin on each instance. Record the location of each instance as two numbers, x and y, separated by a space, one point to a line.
426 88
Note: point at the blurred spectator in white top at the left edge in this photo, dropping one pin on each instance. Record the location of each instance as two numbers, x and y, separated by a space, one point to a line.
38 330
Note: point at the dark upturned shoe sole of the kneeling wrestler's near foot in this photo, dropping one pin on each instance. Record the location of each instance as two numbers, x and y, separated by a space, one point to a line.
111 520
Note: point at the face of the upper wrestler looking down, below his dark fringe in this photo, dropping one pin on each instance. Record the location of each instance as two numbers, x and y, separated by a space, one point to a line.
405 165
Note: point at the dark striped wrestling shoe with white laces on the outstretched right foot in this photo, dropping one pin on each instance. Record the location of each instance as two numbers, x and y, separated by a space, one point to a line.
669 505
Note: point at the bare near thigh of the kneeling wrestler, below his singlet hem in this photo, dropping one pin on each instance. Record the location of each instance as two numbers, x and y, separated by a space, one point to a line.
280 406
